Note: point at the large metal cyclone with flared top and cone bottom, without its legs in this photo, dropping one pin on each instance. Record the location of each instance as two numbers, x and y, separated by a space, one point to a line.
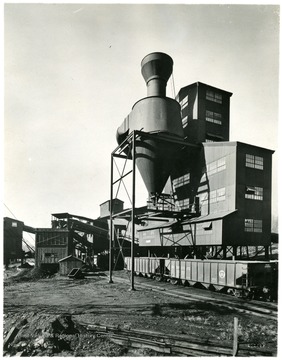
154 114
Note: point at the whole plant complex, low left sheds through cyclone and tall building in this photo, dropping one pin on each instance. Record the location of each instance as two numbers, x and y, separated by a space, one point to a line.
208 197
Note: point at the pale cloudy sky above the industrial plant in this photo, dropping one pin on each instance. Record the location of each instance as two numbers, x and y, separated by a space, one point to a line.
72 74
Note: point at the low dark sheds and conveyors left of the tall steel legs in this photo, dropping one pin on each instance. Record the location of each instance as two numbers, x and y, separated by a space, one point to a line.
70 239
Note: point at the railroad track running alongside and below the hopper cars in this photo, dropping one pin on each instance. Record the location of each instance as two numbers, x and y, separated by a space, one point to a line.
251 307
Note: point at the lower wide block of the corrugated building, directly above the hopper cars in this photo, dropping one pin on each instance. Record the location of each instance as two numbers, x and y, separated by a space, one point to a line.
234 199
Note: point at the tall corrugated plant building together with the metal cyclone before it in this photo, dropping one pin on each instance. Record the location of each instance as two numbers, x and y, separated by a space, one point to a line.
207 196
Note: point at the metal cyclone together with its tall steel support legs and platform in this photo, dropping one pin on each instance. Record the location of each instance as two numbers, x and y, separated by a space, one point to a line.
150 136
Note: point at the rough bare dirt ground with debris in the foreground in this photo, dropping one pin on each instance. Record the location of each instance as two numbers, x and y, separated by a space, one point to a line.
50 315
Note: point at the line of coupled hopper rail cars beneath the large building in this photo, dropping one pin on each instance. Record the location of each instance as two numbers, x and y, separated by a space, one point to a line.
249 279
